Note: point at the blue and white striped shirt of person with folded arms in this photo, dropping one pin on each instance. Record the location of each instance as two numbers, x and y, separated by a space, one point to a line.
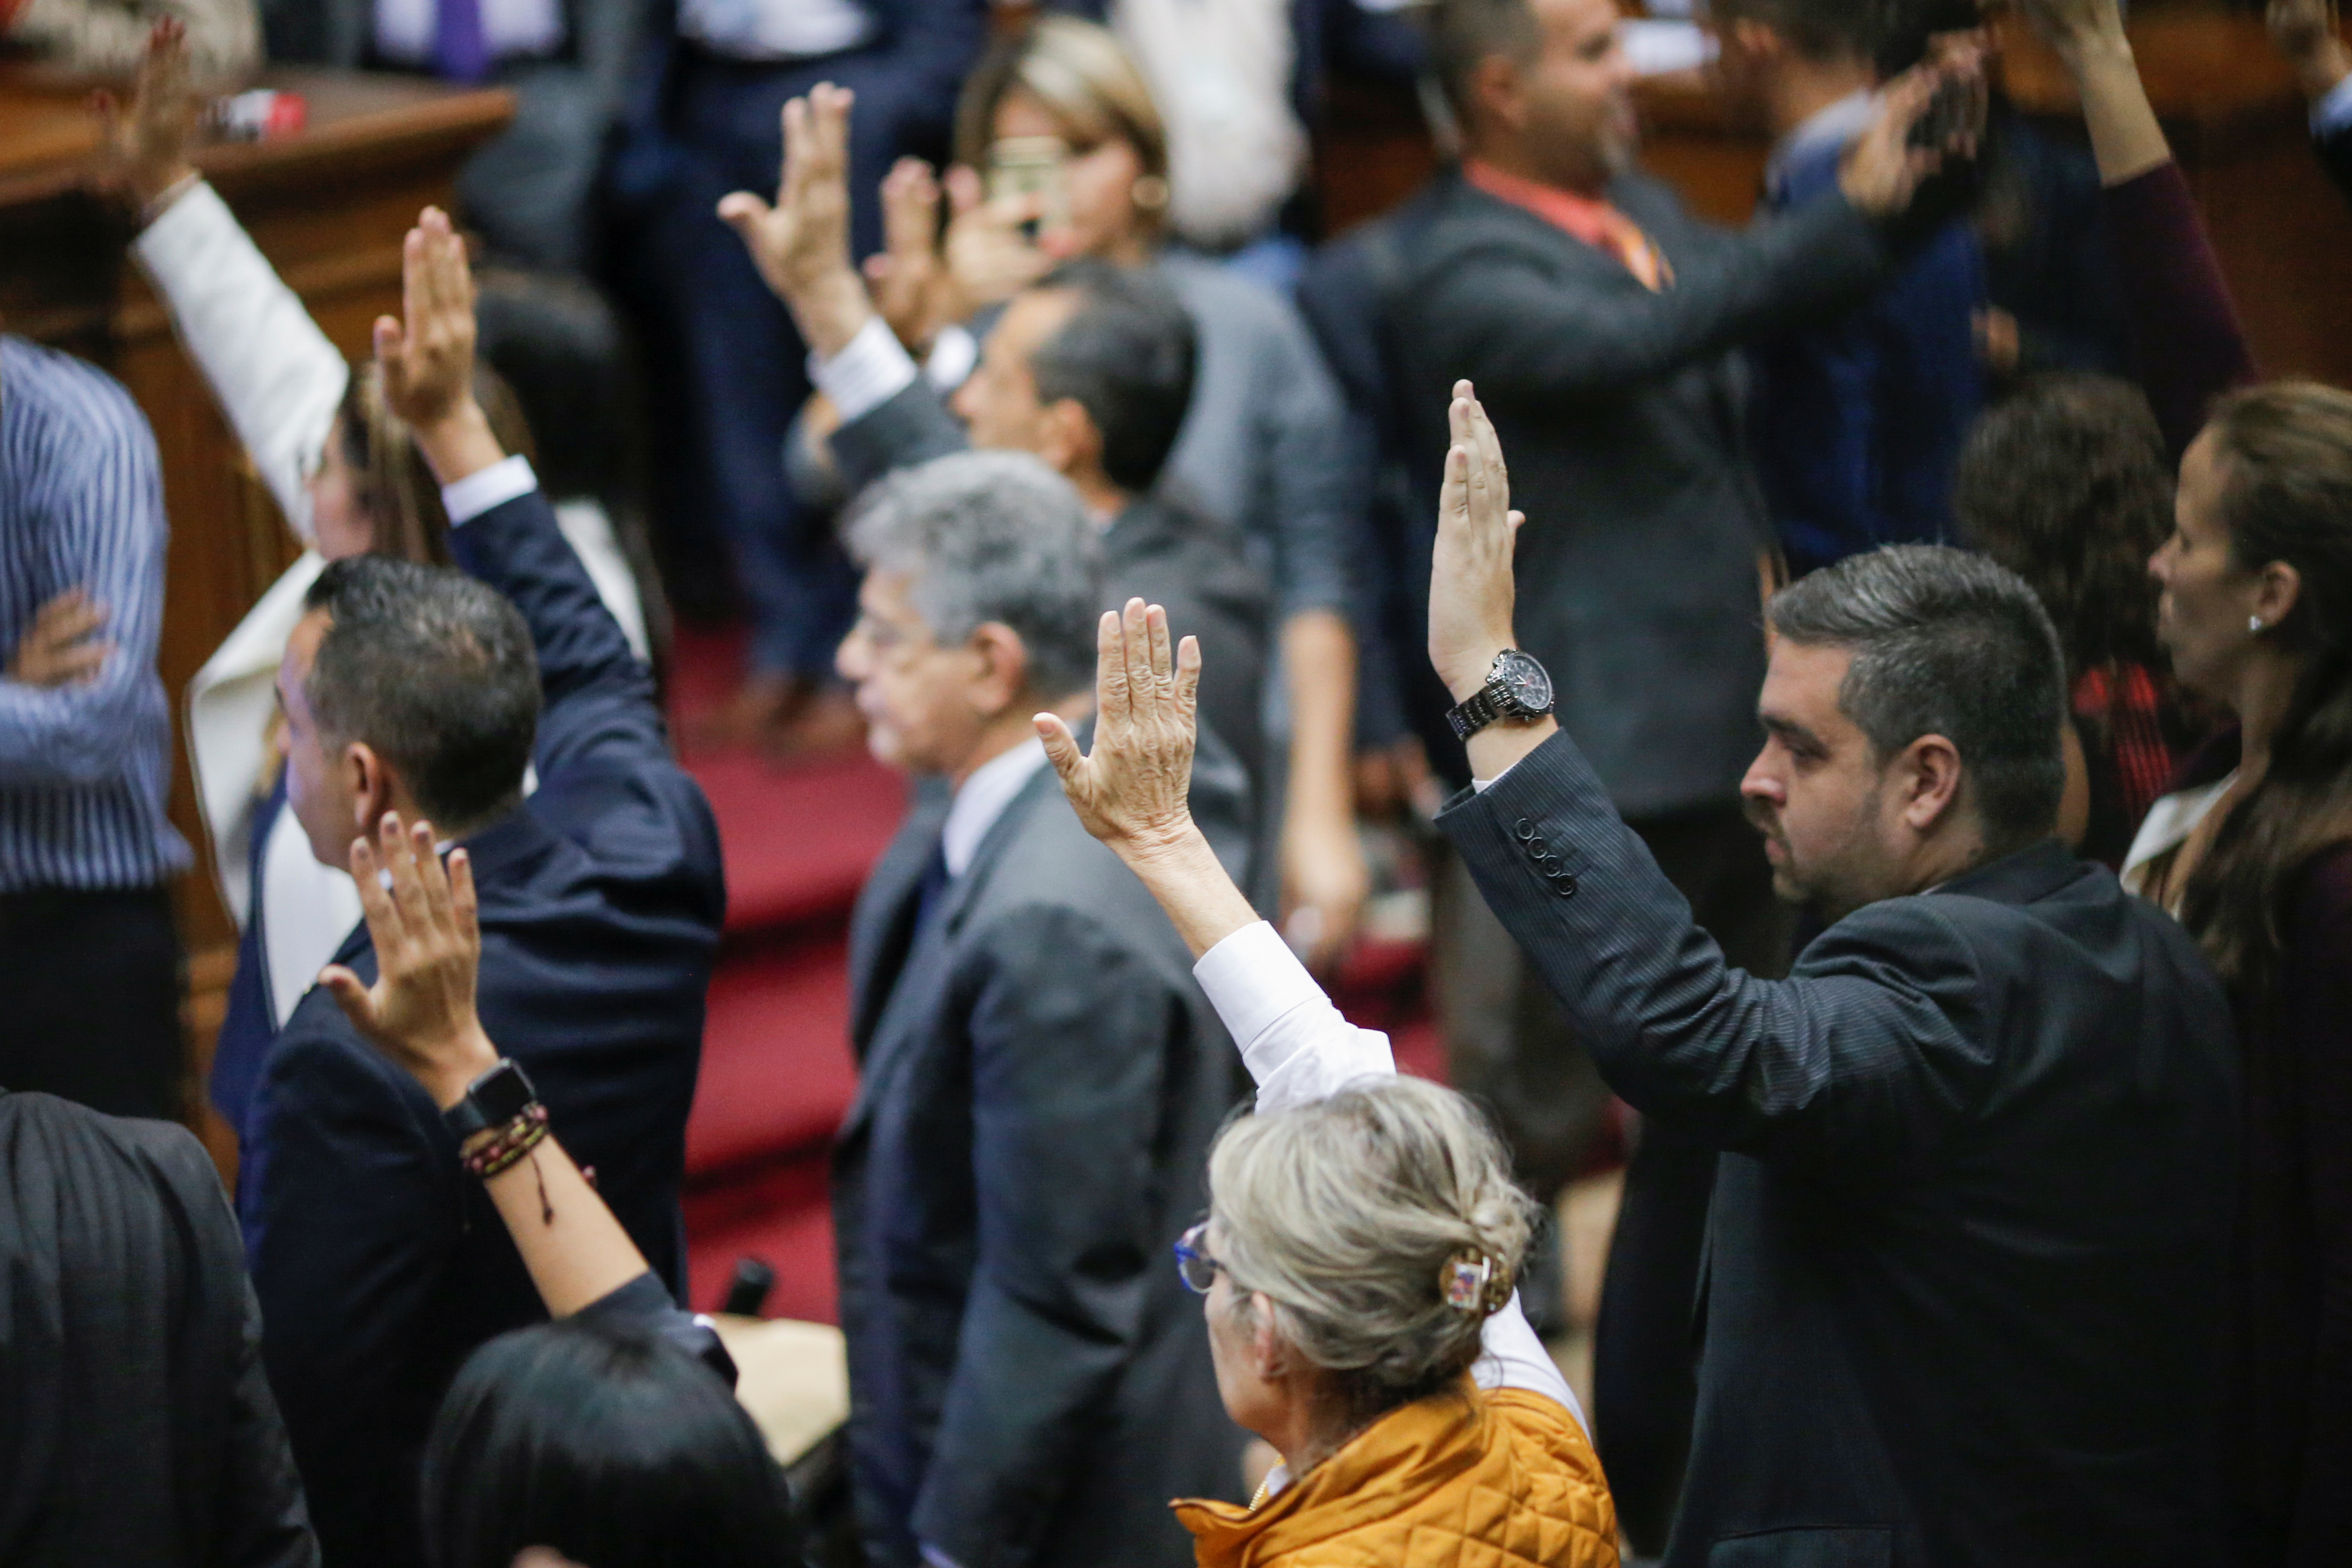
83 770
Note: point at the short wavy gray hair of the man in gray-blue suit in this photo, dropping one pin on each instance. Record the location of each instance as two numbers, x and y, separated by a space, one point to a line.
994 537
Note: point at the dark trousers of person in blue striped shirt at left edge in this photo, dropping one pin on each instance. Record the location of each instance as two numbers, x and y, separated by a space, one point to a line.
91 989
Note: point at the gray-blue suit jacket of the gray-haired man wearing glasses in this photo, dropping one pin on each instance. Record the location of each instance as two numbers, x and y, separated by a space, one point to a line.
1038 1090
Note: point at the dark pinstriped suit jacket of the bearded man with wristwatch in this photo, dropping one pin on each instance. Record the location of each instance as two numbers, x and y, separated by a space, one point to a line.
1972 1219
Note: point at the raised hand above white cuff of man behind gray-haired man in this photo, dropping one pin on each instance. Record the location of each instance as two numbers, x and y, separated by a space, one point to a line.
801 243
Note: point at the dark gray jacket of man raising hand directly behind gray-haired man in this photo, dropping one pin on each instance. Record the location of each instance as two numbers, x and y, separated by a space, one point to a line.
1158 549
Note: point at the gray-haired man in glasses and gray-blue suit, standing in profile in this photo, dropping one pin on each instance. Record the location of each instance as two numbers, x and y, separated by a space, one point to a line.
1038 1073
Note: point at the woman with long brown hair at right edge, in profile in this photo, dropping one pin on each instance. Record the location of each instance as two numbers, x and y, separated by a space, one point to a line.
2254 852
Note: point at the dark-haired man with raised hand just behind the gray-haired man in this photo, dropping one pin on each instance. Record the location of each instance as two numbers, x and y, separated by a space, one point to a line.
1090 370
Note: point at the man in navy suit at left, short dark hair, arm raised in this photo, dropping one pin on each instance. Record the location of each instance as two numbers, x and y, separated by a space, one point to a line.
417 690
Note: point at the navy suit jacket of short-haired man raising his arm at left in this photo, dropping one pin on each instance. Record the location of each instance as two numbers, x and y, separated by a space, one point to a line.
377 1259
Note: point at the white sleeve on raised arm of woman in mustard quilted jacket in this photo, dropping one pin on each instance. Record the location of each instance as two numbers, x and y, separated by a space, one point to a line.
1292 1040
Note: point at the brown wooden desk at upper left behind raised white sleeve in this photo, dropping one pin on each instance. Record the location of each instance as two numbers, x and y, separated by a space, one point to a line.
328 208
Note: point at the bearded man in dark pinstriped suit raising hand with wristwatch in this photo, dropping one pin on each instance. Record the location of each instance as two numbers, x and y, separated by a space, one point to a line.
1972 1214
